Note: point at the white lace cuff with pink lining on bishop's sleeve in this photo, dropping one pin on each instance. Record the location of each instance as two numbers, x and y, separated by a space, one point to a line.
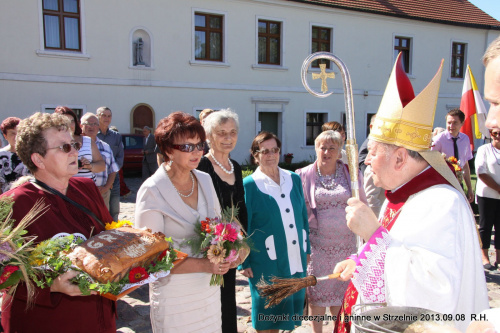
369 275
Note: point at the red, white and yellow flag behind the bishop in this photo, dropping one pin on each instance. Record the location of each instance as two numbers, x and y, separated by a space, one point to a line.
475 112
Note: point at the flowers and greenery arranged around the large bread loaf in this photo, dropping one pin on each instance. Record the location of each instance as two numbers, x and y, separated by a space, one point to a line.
54 257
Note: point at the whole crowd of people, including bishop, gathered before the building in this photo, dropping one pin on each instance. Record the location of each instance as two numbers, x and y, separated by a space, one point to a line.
421 248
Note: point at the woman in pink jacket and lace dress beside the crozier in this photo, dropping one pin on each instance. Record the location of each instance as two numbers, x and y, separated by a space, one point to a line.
327 187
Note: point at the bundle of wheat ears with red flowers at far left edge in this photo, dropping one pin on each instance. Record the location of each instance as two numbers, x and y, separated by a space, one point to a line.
15 246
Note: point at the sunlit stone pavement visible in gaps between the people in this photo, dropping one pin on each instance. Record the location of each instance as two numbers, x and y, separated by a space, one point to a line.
133 309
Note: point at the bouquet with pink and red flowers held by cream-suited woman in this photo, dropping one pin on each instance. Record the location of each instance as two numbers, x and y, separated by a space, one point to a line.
220 240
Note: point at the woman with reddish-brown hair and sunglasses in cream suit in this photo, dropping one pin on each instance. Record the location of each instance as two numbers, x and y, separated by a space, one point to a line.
172 201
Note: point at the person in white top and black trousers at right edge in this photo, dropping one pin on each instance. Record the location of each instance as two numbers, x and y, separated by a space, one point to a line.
488 195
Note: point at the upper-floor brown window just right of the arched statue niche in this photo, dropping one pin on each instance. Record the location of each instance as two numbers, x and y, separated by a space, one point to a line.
208 37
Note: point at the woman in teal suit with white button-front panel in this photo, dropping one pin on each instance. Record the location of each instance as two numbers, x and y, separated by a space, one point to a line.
279 232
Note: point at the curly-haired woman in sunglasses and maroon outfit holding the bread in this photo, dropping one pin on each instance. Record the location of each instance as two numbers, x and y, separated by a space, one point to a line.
46 147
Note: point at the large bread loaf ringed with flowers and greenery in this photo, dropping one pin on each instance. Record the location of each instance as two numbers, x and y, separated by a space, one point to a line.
110 263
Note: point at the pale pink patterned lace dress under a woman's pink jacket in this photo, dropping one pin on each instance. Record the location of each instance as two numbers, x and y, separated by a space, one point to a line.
332 241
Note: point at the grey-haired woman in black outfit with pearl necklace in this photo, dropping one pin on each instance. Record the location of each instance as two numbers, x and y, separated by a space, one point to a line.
222 129
